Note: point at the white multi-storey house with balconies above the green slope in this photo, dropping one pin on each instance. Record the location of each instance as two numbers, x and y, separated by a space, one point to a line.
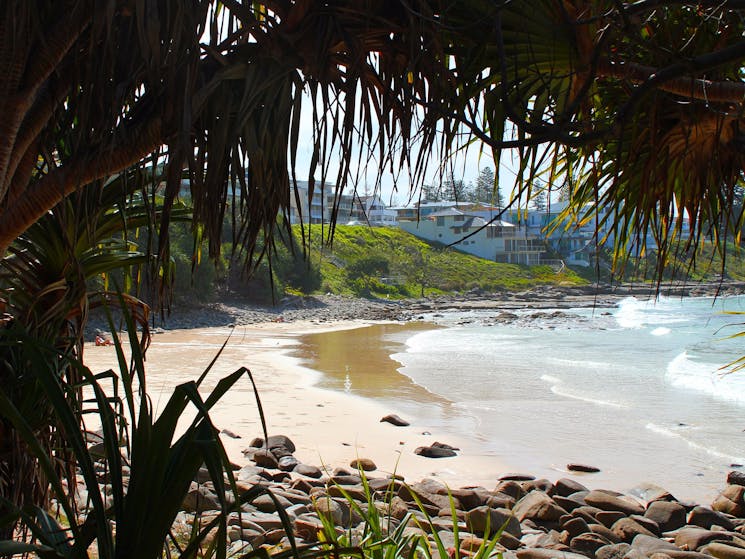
498 240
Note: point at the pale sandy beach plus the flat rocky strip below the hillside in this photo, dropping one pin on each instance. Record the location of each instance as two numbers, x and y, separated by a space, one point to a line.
331 428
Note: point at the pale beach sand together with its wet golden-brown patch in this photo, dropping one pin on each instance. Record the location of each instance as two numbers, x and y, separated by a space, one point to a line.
329 427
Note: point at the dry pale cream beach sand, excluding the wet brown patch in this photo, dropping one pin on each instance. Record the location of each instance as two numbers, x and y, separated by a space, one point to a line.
329 428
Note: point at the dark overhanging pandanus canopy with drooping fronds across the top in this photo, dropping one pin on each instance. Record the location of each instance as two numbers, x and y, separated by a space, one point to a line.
642 100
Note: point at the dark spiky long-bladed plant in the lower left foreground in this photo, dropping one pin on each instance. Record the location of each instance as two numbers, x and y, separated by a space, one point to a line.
126 519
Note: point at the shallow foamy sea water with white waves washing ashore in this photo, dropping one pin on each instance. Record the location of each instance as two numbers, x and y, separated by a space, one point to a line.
639 390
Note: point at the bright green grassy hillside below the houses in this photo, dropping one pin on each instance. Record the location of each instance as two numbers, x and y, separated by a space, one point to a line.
386 261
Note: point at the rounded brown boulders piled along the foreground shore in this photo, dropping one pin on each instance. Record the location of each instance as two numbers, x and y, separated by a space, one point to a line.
539 519
